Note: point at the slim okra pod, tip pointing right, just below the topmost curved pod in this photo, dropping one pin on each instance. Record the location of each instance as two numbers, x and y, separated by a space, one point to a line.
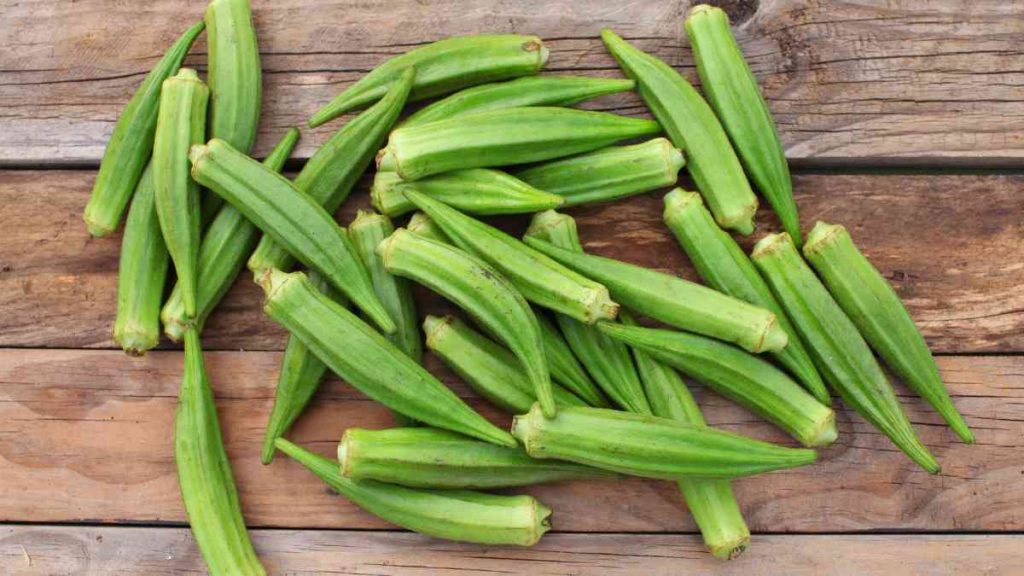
529 91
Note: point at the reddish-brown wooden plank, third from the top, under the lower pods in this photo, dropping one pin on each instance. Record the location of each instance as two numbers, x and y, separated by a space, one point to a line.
96 427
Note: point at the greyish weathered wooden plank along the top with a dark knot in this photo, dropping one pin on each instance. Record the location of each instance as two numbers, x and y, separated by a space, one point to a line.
851 84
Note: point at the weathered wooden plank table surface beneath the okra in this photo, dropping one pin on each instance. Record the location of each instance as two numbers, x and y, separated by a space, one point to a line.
904 121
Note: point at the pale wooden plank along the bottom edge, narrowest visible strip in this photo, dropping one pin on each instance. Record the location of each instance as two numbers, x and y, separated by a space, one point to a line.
89 551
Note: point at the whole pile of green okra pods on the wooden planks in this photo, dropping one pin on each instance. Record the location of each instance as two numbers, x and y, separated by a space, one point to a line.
551 333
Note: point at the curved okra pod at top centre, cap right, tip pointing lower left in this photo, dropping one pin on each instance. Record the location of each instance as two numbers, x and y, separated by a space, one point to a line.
445 67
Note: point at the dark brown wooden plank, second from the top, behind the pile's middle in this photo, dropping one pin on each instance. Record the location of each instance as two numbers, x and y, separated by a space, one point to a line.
952 246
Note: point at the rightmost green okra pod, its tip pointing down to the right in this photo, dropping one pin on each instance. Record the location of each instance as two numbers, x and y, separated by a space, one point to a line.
877 311
